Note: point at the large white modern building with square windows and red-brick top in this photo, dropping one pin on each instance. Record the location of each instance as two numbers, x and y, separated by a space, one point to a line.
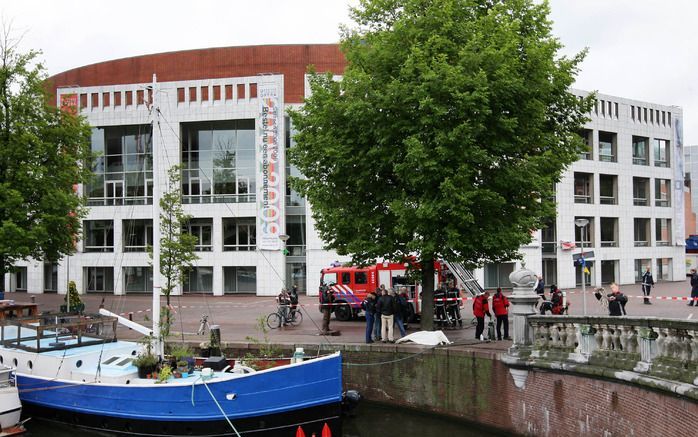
220 114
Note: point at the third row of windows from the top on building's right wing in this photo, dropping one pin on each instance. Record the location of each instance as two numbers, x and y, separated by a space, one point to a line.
608 231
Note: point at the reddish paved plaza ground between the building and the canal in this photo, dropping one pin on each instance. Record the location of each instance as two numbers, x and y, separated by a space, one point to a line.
238 315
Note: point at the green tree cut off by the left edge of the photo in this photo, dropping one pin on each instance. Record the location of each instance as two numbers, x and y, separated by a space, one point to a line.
41 151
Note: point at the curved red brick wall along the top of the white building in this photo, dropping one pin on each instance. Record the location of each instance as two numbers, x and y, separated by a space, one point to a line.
290 60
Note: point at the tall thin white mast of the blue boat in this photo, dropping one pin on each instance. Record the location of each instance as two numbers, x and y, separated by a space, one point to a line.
155 141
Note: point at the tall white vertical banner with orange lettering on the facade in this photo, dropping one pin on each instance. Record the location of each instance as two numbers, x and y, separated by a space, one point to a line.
269 193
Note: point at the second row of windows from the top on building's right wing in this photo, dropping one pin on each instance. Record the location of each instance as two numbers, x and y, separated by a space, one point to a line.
608 190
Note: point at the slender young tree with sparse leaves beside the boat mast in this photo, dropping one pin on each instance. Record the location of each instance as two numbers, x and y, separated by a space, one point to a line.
177 248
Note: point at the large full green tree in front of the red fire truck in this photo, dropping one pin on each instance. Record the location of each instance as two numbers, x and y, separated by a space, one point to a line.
445 136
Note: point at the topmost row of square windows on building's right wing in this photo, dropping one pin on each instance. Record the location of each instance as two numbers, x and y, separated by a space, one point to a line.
608 148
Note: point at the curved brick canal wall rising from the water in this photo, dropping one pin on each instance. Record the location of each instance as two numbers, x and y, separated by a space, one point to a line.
476 386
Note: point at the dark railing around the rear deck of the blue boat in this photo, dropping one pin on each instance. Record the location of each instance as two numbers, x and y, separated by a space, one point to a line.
57 332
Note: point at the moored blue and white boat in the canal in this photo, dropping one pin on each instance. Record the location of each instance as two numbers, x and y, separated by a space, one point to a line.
78 373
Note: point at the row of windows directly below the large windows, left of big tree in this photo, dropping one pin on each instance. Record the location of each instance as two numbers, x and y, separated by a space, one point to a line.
239 234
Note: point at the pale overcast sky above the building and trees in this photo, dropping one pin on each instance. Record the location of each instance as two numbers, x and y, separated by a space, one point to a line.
640 49
